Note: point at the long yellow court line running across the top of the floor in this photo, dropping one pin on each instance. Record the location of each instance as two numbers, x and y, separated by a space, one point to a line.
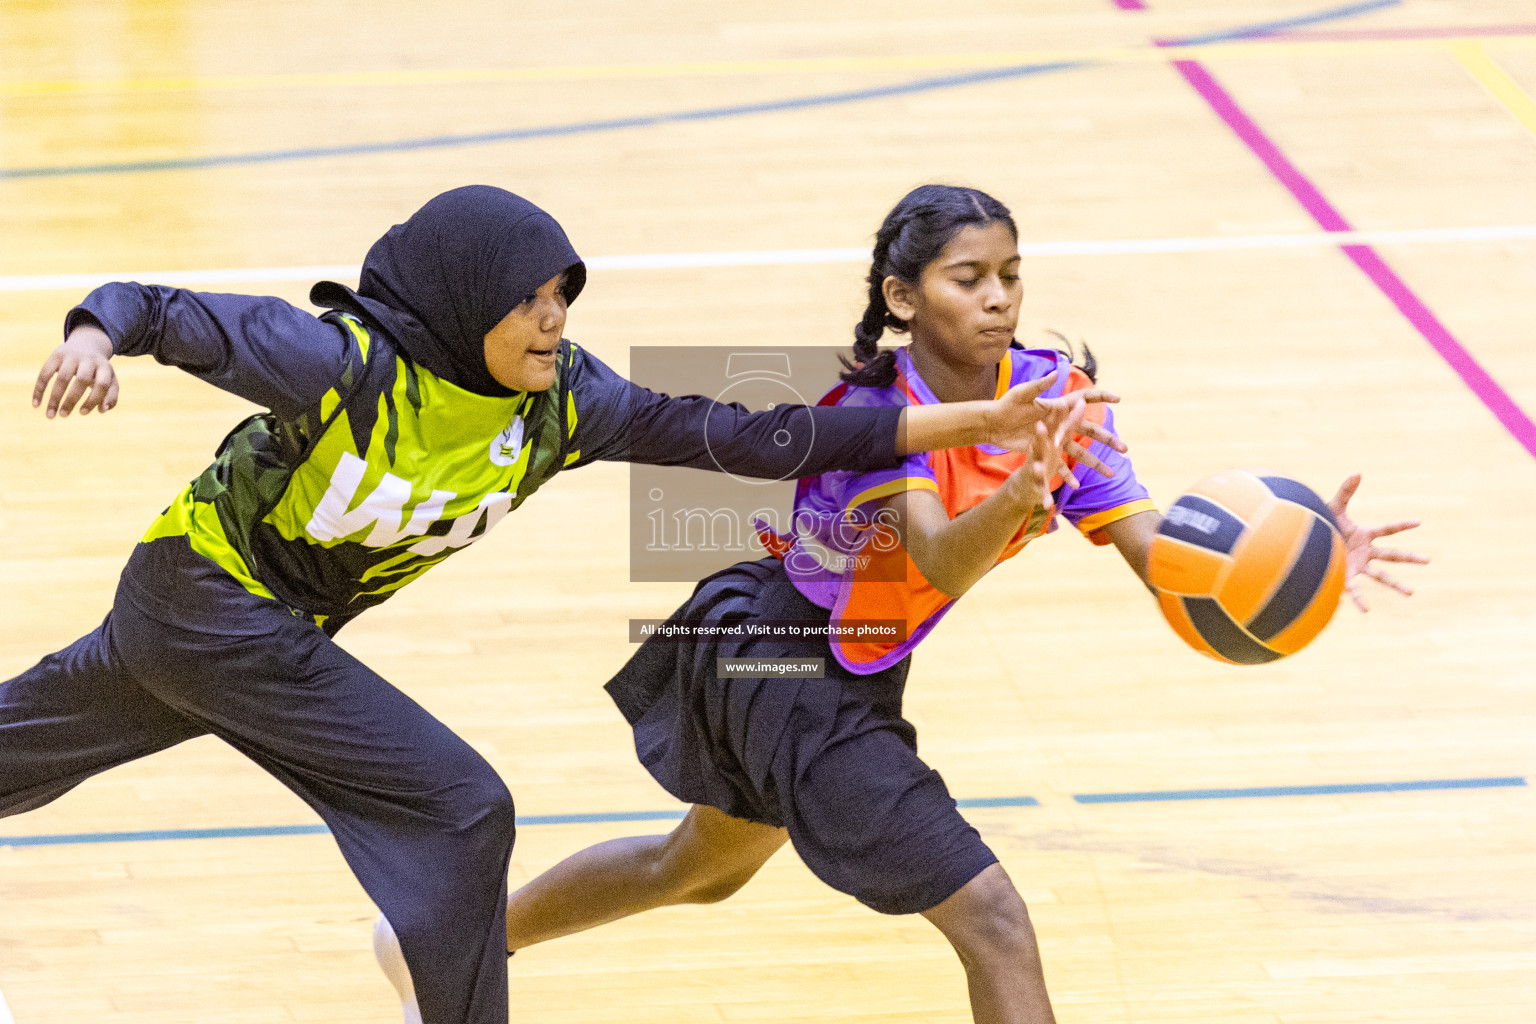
944 62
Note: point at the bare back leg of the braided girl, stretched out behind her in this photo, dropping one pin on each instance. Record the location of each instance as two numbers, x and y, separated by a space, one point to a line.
704 860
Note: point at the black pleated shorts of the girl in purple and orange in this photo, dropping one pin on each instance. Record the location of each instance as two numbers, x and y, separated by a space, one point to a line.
829 759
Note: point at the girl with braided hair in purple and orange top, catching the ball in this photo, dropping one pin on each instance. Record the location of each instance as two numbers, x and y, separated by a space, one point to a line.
830 765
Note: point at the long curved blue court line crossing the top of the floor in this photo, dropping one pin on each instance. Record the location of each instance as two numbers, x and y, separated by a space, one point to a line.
650 121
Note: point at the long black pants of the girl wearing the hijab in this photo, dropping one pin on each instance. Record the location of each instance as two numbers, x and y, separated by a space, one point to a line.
422 819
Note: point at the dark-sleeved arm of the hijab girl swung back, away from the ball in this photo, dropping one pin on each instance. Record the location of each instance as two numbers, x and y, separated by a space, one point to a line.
257 348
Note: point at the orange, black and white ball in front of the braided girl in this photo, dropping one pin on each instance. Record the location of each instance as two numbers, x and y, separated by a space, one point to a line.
1248 567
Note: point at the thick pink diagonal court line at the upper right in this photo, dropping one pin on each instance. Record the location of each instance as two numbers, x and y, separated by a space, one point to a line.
1363 257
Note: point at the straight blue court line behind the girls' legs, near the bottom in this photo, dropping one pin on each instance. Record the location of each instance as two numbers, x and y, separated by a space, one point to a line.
603 818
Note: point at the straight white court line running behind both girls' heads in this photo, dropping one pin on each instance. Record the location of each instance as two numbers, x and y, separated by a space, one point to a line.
790 257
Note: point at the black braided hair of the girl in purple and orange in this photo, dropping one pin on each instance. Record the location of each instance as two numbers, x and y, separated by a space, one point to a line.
913 236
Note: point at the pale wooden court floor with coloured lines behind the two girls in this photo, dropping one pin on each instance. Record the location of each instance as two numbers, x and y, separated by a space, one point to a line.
1173 214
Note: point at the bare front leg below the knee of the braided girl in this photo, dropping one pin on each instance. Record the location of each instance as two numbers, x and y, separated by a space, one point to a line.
990 928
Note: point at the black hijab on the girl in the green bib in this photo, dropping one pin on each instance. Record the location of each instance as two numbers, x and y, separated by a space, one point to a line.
440 282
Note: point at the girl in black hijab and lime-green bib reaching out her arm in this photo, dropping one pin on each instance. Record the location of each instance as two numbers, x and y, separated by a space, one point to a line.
399 428
